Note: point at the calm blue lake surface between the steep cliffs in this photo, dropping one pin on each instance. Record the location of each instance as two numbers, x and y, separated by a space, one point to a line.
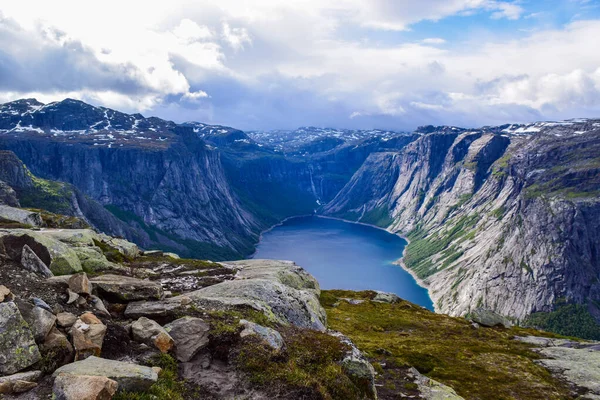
343 255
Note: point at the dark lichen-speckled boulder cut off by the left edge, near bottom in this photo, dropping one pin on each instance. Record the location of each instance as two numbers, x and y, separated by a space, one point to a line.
17 345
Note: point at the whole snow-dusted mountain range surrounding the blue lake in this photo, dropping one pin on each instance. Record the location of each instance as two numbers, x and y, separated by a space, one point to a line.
503 218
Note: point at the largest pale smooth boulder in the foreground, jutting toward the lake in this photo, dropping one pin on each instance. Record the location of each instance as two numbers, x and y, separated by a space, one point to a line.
283 291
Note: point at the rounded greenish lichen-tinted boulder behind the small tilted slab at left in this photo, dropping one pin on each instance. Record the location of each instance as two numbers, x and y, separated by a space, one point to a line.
59 257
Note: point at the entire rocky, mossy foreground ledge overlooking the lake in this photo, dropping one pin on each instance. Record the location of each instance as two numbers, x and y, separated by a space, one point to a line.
88 316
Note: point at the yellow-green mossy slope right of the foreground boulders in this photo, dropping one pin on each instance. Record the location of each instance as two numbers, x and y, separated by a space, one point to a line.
475 362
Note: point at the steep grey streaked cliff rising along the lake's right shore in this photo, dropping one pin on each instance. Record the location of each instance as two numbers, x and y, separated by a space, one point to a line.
497 220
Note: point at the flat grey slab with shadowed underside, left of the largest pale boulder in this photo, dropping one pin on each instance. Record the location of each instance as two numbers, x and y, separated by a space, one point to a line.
124 288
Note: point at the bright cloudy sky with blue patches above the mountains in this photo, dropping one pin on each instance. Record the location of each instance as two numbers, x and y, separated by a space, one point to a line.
272 64
